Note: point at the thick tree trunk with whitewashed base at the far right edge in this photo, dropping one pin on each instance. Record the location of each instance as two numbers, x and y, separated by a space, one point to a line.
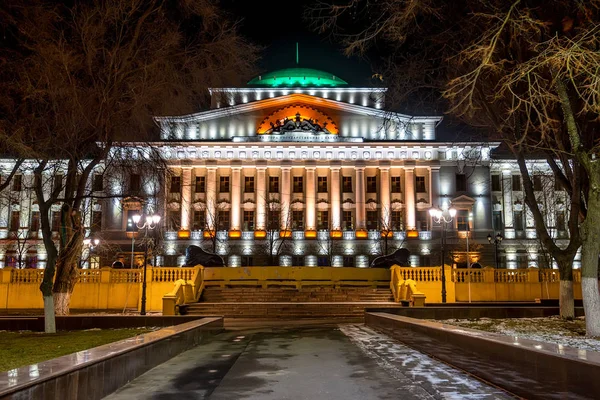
589 261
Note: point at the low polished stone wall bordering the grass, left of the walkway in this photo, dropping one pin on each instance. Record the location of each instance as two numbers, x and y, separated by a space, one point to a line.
95 373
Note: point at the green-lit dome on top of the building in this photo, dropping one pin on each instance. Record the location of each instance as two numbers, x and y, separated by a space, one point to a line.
292 77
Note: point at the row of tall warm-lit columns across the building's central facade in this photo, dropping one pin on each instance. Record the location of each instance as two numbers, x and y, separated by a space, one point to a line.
310 198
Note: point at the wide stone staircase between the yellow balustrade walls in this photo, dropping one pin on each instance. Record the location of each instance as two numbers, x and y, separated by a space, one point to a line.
291 303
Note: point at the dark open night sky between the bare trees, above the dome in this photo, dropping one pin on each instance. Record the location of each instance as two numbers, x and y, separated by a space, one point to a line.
278 25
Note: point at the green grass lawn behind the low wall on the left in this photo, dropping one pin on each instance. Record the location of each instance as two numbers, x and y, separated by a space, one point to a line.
23 348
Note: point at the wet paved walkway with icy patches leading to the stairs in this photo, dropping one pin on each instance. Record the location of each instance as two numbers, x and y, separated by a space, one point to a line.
347 361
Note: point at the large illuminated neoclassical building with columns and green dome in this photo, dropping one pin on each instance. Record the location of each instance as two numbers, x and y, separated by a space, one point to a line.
300 168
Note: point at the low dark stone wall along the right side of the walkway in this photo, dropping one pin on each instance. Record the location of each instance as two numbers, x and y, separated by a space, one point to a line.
527 368
